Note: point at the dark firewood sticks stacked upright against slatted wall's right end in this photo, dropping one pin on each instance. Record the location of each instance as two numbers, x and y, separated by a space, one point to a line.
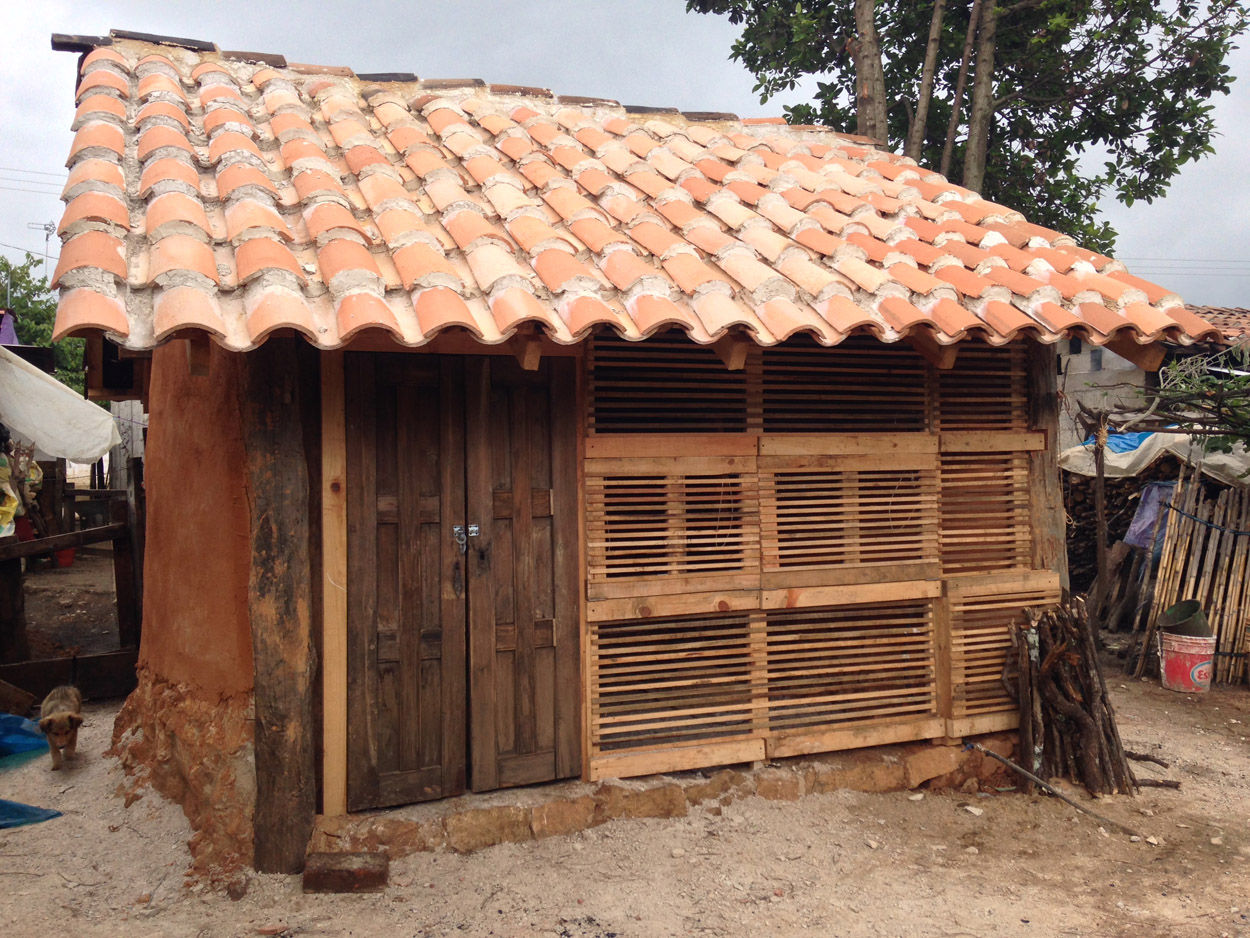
1067 724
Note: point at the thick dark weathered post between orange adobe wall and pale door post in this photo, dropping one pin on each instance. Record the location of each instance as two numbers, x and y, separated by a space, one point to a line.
279 606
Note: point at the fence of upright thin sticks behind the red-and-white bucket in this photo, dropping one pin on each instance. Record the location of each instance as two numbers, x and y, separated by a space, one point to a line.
1206 557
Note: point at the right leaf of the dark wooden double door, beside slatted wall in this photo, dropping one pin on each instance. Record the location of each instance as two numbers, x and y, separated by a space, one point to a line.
523 608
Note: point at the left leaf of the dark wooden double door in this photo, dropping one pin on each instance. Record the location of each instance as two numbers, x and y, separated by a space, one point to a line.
407 660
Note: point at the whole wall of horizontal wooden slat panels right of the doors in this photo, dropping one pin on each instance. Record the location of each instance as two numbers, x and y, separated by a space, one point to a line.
767 550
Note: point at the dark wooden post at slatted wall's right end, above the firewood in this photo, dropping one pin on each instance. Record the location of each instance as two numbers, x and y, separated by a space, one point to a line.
1046 487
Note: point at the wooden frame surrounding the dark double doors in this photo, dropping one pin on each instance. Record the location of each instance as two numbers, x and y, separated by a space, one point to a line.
334 566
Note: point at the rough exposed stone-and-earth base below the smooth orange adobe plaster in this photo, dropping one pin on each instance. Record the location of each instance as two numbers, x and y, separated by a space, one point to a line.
197 752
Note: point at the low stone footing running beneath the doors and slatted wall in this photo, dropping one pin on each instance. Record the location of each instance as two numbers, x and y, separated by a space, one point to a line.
472 822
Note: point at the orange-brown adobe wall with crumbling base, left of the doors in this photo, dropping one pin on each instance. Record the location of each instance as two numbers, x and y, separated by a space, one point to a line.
188 729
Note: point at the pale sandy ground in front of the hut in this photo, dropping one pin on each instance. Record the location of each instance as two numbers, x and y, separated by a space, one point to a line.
846 865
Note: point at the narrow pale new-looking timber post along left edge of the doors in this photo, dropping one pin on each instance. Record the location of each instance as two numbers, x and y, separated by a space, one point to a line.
334 580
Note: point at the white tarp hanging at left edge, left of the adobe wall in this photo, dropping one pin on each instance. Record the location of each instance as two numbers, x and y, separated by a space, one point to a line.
39 410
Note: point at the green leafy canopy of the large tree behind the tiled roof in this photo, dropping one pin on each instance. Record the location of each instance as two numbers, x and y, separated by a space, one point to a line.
1089 98
